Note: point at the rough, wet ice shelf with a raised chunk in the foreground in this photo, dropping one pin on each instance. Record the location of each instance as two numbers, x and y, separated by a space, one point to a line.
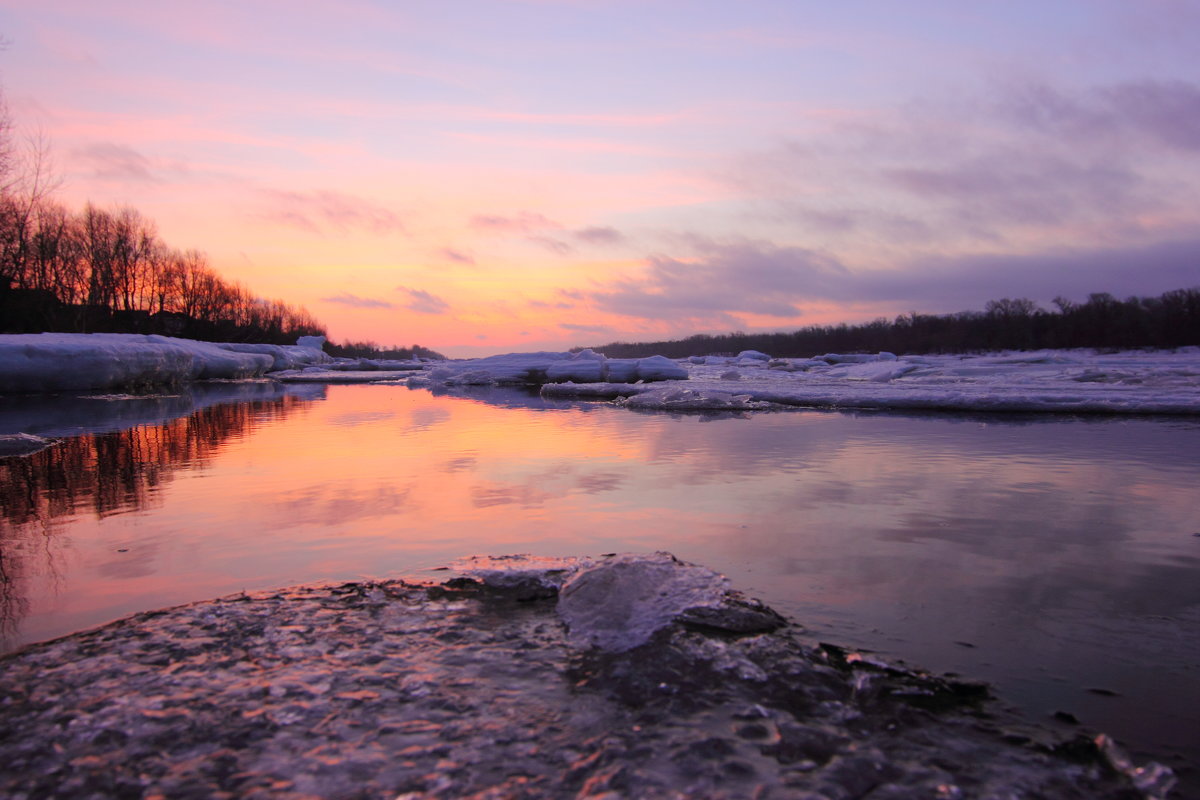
664 684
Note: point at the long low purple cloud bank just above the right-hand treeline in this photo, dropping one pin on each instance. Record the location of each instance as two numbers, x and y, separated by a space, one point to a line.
729 279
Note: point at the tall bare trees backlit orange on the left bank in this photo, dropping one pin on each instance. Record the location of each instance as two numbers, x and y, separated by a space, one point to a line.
107 270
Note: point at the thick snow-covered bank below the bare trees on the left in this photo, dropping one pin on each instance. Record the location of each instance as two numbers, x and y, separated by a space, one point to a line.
51 363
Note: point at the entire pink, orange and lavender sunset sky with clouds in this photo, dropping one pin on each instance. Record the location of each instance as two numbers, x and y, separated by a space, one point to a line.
488 177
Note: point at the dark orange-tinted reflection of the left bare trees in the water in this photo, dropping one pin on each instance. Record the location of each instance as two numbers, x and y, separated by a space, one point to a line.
105 474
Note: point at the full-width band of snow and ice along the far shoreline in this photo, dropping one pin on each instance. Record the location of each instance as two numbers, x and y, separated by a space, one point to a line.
1070 382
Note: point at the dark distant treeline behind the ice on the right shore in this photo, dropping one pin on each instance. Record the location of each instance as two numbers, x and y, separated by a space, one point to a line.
1169 321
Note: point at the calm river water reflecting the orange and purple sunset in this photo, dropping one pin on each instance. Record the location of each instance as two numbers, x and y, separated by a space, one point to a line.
1049 556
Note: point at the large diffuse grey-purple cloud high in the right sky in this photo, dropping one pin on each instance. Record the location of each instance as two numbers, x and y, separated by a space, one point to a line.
1025 161
